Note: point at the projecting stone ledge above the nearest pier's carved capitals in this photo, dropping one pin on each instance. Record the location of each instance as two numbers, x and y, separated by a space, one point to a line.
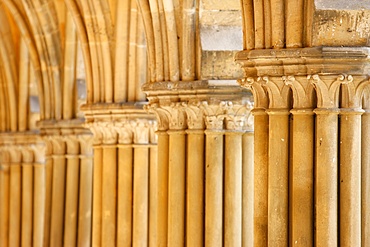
304 61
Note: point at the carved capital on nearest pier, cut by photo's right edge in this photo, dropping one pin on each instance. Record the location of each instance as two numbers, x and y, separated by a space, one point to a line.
353 90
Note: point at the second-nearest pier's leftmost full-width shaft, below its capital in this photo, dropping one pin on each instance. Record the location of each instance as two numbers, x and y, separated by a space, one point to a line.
176 188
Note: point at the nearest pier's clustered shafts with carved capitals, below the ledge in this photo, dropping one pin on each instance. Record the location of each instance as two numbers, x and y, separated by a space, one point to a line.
303 148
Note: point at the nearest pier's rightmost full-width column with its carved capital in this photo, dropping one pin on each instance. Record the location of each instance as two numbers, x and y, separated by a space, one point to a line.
350 160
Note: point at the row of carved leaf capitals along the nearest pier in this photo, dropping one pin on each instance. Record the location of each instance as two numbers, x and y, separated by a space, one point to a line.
309 91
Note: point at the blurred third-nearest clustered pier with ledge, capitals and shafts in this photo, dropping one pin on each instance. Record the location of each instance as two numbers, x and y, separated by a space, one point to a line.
122 163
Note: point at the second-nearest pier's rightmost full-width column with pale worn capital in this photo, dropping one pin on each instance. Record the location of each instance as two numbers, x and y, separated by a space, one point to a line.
236 125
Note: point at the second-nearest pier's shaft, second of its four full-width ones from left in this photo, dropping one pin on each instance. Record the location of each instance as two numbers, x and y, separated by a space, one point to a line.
195 188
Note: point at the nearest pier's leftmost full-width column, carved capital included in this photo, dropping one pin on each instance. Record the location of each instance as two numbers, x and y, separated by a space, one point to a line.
278 173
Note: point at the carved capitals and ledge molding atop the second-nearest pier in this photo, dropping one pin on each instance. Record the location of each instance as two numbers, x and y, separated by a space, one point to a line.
198 106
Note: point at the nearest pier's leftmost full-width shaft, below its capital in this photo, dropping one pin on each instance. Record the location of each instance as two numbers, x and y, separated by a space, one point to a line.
278 178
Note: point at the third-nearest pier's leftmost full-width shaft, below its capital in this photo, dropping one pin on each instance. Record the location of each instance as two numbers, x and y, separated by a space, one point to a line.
109 194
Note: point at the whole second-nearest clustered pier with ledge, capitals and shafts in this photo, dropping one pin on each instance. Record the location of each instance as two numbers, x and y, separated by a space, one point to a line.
191 138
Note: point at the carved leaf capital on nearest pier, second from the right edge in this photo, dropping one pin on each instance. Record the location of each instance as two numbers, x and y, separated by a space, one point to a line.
327 89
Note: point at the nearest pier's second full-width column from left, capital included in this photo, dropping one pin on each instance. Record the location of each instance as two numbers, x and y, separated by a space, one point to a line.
302 162
